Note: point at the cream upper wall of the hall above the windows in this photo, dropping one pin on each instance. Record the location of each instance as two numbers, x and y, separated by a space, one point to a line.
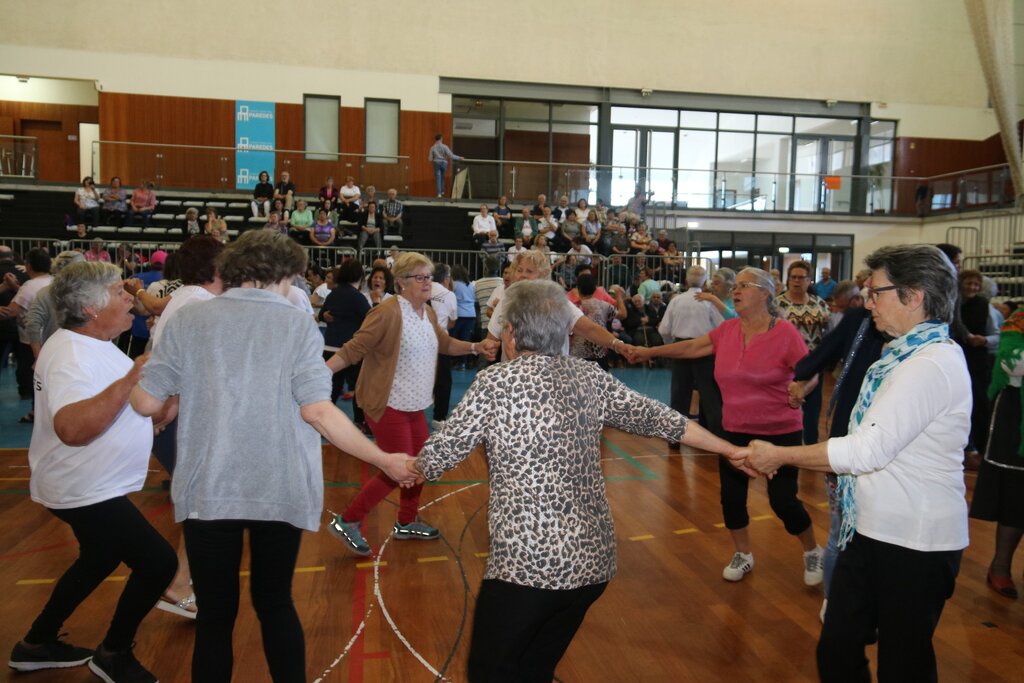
832 51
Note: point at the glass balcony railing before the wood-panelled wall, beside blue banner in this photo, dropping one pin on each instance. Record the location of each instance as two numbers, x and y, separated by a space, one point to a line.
214 168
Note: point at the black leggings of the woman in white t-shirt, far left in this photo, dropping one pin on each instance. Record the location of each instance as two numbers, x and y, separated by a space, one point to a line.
109 533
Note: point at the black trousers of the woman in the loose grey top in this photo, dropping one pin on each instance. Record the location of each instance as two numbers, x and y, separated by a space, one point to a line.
215 549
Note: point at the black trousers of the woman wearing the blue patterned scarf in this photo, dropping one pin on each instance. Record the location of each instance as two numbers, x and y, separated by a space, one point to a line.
899 591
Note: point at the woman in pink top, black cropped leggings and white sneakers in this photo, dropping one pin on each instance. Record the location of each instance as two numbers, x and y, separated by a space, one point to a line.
755 355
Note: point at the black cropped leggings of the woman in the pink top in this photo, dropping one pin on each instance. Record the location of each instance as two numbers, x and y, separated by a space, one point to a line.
782 488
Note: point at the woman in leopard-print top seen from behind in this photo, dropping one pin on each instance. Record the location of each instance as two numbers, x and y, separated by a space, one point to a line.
552 539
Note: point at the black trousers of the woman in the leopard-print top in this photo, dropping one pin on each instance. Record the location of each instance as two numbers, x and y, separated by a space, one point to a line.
521 633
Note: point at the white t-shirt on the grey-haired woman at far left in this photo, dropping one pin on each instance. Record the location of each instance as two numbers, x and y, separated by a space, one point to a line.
72 368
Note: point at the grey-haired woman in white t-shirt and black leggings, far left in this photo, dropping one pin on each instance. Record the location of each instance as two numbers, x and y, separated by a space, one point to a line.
90 450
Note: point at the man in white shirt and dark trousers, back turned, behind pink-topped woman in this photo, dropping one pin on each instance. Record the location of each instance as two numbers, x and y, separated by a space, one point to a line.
687 318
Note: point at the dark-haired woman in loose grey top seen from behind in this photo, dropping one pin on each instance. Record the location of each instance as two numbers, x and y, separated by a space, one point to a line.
248 452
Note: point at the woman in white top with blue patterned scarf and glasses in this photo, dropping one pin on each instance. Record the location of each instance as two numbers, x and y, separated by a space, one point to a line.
902 477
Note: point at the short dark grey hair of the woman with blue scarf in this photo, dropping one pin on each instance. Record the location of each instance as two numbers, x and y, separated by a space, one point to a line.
921 268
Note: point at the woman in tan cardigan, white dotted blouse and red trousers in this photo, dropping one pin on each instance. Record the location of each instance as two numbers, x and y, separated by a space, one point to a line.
398 345
